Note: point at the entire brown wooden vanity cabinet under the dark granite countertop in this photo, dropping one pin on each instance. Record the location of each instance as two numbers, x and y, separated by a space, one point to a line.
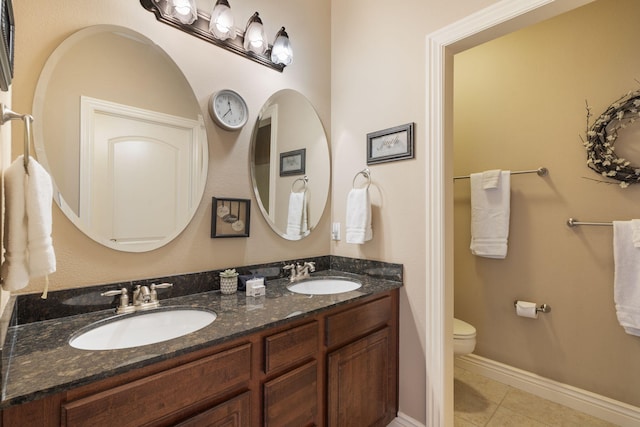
337 368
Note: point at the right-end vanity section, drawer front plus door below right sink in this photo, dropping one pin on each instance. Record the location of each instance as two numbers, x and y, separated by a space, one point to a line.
362 364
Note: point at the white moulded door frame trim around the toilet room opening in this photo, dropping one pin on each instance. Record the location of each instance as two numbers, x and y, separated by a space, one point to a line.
499 19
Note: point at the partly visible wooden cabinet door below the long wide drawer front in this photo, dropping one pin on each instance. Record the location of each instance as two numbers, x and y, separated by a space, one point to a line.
235 412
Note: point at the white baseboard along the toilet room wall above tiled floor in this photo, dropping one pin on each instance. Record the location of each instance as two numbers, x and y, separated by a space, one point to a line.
585 401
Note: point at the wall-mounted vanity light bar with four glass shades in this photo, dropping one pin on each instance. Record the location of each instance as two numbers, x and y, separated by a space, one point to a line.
218 29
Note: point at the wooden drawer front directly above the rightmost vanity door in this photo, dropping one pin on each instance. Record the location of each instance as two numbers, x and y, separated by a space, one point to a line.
350 324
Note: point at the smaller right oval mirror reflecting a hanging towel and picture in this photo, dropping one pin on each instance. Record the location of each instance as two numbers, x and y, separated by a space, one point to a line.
290 164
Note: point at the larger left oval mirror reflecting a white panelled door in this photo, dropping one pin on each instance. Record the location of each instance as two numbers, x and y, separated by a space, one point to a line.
120 130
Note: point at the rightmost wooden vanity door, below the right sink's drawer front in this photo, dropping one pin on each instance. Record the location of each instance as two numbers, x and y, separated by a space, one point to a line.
361 385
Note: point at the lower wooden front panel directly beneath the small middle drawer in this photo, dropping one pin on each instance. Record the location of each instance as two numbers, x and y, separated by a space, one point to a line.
292 398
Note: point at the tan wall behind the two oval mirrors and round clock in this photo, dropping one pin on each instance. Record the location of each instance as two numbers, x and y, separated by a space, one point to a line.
41 26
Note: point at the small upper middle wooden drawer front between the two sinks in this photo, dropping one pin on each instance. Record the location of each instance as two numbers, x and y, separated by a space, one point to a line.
291 347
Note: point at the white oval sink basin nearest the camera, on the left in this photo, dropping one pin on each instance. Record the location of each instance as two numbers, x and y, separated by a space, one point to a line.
134 330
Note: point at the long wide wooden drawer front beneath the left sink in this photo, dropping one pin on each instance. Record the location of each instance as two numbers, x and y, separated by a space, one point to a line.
159 395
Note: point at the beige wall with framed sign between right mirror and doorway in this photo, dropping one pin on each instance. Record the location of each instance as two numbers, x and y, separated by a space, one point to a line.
378 81
